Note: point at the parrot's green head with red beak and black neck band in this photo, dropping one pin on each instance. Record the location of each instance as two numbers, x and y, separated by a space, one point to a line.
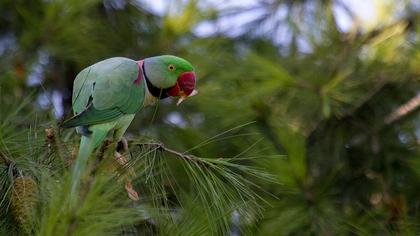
169 76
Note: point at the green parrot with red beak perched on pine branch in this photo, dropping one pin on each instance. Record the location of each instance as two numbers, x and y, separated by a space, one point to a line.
107 95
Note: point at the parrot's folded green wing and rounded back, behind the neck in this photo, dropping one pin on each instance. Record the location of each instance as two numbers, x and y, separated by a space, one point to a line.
106 91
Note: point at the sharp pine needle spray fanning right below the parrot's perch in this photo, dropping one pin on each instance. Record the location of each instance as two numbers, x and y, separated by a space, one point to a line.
220 185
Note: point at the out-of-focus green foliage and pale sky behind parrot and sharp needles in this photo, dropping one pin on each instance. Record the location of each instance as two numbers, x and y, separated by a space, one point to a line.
325 92
